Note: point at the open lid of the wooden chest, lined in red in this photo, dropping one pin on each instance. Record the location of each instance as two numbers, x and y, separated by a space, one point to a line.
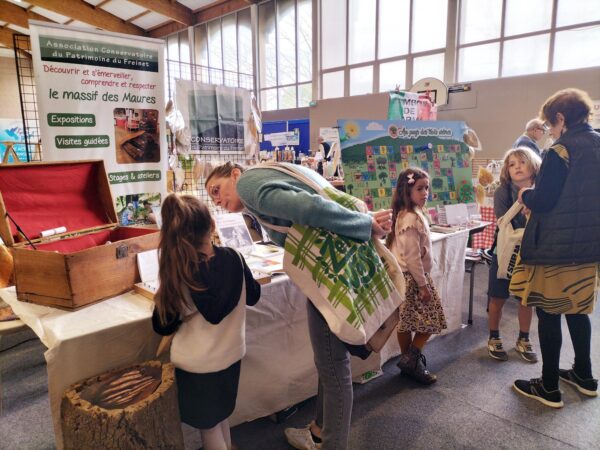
45 196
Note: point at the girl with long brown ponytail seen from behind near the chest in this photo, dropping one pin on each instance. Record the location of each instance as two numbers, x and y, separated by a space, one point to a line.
202 298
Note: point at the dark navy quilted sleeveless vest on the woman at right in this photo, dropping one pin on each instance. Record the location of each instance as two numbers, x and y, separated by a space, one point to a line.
570 232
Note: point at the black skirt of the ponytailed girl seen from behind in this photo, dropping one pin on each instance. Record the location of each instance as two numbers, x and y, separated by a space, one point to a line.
206 399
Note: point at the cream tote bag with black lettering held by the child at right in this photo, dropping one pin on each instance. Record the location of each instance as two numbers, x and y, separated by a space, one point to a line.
508 242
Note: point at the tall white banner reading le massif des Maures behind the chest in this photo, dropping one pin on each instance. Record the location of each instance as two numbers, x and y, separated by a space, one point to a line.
101 96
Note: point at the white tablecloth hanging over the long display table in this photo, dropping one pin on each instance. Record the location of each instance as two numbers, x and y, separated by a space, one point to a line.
278 369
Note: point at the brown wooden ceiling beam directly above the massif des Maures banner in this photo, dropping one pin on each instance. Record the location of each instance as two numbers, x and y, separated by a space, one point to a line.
84 12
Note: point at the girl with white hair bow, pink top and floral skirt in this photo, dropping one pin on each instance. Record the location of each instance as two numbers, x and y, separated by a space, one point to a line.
421 315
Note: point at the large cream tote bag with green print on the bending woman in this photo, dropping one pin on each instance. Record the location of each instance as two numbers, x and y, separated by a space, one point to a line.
356 286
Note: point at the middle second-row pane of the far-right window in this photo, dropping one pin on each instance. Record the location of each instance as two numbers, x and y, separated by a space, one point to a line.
525 55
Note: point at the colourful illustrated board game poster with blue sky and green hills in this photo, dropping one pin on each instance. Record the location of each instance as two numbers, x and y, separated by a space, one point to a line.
375 152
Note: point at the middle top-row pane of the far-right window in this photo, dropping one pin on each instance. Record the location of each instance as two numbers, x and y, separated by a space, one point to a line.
527 16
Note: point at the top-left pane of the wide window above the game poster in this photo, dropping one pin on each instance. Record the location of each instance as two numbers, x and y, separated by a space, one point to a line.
333 33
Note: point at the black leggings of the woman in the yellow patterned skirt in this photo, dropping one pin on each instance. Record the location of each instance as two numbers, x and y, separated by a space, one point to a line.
549 330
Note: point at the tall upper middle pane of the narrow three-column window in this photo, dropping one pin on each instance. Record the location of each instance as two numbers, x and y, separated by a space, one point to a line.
286 42
